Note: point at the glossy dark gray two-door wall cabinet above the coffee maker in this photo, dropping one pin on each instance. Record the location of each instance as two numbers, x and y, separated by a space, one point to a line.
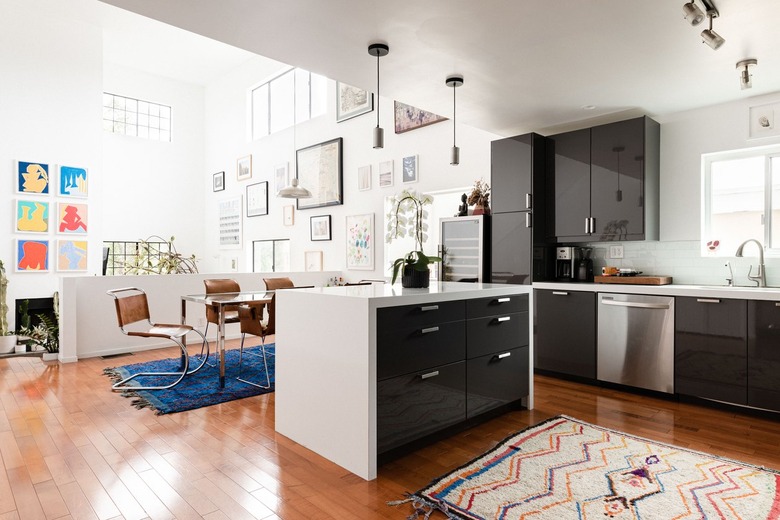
603 182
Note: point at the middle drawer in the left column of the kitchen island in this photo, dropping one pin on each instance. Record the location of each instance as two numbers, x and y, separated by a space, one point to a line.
408 349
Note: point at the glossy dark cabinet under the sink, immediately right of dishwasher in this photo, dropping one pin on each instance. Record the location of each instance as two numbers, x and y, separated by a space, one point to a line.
710 359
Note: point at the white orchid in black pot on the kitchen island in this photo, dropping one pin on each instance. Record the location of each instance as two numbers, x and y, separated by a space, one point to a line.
406 217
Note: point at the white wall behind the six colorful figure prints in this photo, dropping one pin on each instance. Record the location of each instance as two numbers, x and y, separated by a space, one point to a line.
51 58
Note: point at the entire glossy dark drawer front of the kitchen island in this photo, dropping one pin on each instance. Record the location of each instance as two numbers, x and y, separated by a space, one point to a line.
430 377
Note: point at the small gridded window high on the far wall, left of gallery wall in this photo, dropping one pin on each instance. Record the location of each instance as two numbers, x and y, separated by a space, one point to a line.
135 117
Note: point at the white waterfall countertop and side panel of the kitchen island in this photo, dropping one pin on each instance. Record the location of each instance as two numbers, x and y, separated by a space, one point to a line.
326 362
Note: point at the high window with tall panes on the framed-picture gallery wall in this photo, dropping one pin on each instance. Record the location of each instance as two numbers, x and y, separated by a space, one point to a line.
292 97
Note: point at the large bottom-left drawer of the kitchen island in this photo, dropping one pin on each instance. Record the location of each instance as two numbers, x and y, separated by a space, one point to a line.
414 405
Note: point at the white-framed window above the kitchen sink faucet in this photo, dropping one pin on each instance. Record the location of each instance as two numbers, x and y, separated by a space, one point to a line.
741 200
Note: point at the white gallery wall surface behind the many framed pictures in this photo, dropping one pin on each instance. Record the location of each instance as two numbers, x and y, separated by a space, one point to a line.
226 138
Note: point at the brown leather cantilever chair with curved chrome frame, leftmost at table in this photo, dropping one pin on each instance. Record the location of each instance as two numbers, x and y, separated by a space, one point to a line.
132 307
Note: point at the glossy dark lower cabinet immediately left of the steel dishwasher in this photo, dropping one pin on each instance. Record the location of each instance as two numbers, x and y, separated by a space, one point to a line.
565 332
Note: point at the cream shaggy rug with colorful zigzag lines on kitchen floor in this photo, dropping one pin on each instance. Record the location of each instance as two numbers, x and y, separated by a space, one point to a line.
564 468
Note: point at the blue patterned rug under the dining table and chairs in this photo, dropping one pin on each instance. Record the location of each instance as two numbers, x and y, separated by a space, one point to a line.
198 389
